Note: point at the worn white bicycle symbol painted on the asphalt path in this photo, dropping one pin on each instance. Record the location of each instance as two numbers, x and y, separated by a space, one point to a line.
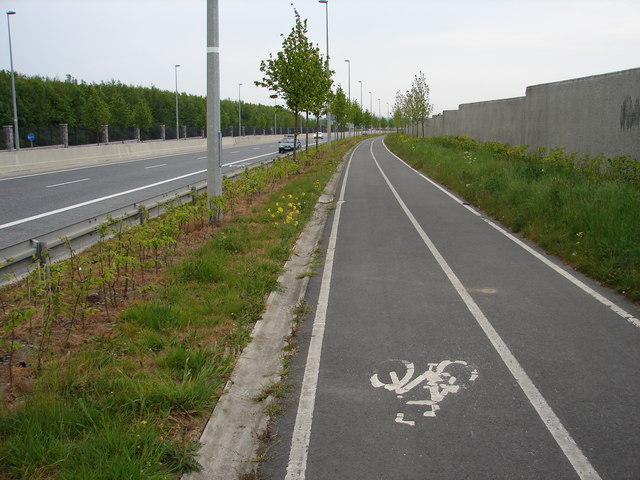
439 380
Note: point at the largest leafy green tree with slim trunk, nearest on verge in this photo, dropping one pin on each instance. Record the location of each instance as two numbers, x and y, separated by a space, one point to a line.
297 73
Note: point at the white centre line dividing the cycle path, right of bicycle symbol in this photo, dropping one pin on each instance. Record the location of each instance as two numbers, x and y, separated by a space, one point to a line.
580 463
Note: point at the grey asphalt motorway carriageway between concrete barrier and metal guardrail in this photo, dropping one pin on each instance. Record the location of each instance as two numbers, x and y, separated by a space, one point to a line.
32 205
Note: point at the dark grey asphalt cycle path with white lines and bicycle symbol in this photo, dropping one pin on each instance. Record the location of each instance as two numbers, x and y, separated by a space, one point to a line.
439 346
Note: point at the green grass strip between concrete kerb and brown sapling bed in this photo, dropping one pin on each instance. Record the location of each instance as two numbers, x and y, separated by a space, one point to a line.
114 409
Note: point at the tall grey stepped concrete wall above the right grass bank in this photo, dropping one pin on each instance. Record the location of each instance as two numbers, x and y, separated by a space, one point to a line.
597 114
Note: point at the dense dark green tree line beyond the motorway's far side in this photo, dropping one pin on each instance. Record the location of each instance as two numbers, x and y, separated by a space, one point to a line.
44 101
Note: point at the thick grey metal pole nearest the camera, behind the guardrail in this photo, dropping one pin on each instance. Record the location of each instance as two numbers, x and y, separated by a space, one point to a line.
214 150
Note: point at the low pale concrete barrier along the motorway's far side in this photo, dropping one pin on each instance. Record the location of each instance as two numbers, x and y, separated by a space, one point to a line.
38 160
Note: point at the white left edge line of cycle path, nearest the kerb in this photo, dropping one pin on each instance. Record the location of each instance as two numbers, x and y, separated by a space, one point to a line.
297 466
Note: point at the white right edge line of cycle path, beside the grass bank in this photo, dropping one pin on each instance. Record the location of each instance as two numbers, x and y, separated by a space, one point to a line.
581 285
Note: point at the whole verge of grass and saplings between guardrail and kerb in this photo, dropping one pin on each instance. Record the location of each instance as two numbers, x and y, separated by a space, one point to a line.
123 388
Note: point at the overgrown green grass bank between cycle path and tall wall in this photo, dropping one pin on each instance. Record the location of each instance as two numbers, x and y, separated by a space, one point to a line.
586 211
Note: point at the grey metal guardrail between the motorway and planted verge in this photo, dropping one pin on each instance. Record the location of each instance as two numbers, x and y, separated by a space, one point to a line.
16 259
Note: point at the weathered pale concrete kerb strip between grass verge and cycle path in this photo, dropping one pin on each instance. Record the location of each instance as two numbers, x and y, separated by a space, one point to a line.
230 440
